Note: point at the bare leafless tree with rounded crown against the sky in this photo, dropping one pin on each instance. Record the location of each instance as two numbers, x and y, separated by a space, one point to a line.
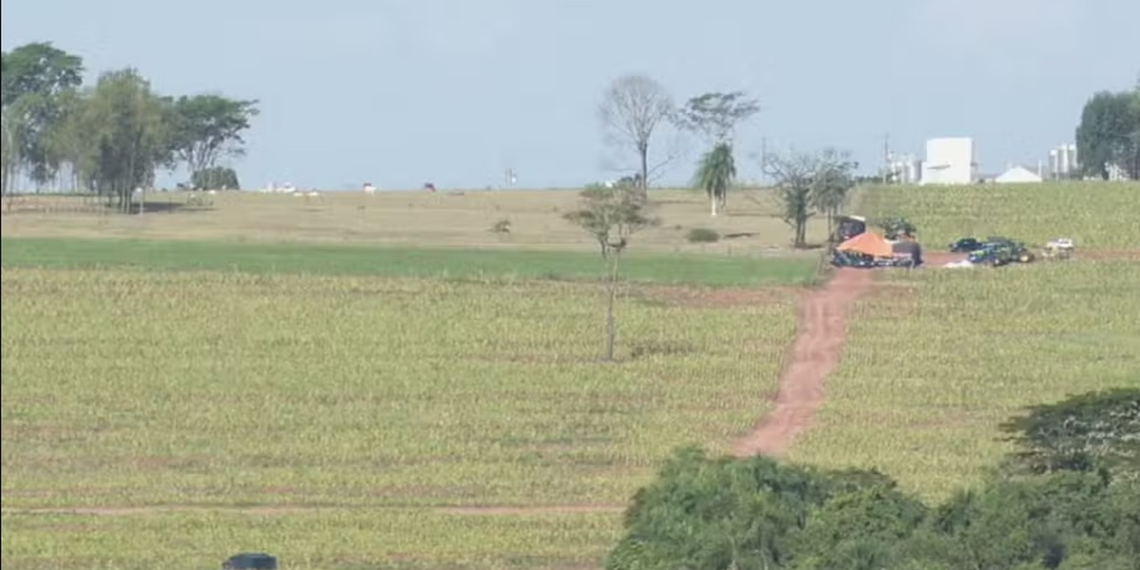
632 111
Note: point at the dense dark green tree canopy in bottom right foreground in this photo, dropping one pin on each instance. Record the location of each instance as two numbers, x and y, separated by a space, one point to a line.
1069 499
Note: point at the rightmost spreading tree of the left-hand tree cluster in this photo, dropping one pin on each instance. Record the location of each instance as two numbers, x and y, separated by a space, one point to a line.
209 128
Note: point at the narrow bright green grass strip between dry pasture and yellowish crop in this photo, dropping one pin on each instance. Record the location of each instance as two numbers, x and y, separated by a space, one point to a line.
392 262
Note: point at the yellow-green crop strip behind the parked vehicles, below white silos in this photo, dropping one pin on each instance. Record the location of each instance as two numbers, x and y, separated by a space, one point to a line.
1096 216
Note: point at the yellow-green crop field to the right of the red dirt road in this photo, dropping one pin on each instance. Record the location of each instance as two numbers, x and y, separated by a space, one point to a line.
937 360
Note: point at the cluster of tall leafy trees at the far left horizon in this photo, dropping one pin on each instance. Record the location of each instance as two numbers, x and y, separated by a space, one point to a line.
109 139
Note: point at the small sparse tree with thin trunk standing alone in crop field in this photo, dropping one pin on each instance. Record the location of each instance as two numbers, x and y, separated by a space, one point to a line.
613 216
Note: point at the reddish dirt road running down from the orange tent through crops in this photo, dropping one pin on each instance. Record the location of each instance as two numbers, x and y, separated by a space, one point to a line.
813 356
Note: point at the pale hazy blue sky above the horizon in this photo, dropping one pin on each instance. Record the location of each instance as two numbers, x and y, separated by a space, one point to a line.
401 93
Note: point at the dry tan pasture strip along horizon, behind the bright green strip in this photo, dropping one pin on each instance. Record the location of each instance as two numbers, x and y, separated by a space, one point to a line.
454 219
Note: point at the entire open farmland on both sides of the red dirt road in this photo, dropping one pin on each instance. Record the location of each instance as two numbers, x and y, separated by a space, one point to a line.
355 401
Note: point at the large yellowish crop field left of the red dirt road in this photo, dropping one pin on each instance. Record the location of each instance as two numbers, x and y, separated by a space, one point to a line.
349 413
